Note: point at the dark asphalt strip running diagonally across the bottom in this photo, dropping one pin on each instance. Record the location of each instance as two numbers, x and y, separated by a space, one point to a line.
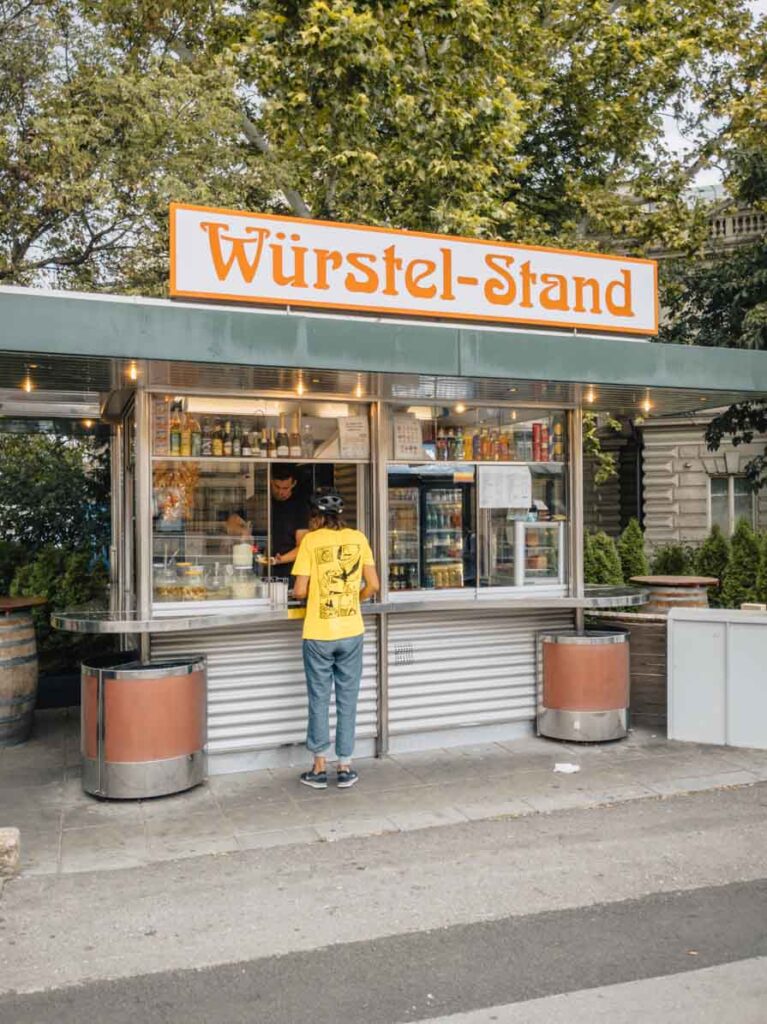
432 975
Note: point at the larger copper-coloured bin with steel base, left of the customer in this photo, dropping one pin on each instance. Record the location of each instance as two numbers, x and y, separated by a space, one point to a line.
144 726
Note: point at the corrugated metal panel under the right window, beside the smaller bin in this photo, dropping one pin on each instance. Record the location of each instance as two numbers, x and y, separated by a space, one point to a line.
449 671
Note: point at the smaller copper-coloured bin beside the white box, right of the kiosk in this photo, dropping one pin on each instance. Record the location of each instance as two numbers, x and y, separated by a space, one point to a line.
585 686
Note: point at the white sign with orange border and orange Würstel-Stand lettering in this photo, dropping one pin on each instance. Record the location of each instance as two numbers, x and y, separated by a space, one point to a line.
287 262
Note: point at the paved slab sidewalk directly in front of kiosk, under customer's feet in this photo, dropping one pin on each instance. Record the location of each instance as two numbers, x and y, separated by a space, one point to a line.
64 831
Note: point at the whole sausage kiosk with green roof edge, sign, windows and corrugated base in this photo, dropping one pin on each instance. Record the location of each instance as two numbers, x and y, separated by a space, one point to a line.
440 385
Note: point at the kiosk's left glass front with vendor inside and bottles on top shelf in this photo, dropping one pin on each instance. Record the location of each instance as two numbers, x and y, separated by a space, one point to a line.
232 481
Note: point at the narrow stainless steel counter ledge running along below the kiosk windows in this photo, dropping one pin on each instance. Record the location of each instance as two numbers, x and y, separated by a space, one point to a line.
106 622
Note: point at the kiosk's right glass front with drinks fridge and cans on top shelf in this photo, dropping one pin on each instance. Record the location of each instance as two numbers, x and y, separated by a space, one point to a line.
478 499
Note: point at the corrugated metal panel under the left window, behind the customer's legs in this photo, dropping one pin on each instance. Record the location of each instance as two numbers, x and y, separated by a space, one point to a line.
257 688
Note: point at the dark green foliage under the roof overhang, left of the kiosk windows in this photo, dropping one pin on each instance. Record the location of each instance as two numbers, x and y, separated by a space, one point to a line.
54 491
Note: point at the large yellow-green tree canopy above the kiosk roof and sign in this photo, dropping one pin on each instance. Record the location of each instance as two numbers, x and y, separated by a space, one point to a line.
540 121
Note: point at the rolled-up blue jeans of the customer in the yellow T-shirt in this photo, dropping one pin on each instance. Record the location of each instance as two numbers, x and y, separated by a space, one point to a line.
329 664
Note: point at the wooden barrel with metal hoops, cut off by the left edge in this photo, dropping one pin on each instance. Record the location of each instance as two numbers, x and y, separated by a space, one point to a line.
18 678
